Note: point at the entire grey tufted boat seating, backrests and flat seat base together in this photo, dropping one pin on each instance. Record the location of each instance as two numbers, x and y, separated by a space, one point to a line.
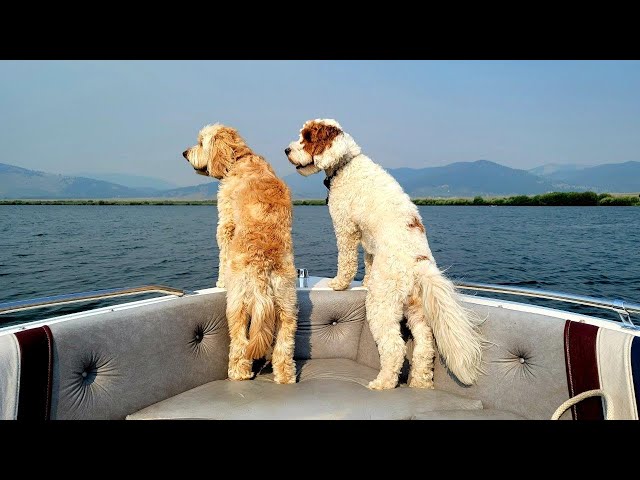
168 359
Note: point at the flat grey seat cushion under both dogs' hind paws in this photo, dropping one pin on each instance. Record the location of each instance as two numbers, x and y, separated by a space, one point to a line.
327 389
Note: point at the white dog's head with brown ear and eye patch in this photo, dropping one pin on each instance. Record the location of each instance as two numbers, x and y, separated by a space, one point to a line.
322 145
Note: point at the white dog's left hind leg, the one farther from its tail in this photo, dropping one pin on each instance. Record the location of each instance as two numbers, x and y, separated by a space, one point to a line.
384 306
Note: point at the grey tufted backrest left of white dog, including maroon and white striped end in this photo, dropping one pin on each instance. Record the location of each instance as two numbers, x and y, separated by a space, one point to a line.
108 365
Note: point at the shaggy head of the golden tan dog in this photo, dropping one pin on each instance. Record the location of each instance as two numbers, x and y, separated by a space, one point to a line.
218 148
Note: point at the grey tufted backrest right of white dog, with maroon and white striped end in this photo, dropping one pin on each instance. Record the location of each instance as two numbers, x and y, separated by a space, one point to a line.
533 363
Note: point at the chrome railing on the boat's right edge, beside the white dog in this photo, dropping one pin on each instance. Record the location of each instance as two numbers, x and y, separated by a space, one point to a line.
621 307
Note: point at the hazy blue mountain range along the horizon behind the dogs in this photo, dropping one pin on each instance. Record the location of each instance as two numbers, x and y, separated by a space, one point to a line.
461 179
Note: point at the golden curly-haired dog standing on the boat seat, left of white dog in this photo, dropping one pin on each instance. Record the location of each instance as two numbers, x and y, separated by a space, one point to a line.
256 251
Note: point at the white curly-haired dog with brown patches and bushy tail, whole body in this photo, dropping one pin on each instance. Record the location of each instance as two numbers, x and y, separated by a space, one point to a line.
368 206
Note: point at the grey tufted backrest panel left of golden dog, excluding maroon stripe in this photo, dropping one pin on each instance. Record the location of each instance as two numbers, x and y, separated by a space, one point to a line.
109 365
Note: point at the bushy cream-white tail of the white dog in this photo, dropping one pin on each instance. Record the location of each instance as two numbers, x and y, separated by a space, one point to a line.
454 327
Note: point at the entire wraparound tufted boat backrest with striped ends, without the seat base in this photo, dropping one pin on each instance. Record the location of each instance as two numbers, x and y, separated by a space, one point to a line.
108 365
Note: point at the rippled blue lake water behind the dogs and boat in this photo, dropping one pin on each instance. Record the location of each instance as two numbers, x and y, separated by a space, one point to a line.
48 250
